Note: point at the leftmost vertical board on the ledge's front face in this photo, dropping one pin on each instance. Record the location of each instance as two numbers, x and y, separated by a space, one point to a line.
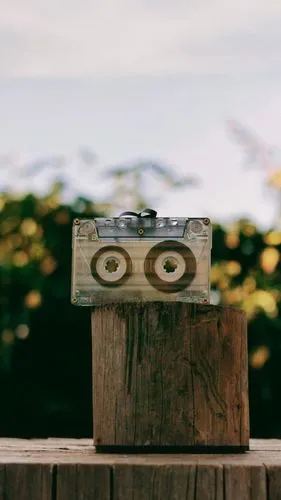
28 482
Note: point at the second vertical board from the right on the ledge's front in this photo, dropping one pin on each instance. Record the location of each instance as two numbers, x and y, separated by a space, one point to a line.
245 483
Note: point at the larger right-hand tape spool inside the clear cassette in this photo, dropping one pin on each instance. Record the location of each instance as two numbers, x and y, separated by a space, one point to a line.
170 266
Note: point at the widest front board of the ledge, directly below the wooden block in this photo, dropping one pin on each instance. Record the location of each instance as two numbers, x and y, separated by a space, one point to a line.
154 483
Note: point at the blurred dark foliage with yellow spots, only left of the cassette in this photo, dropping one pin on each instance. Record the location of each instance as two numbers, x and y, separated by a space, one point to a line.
45 348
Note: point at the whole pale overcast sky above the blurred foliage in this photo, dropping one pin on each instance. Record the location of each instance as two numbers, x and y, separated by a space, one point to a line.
144 80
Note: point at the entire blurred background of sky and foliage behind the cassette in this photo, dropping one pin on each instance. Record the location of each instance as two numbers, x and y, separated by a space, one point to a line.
114 105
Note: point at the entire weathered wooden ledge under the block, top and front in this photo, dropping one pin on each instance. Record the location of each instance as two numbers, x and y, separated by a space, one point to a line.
62 469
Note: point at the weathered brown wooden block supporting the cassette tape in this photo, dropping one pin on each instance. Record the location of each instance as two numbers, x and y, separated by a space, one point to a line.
170 377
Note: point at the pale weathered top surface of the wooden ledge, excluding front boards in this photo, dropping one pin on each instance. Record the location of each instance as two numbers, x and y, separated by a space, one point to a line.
18 451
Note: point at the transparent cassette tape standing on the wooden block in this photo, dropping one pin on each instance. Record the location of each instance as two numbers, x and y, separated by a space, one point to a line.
134 259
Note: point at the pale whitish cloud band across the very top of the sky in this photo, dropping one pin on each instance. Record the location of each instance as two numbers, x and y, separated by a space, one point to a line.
122 37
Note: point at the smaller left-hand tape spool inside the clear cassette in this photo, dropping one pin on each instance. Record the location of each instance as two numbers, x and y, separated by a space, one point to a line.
111 266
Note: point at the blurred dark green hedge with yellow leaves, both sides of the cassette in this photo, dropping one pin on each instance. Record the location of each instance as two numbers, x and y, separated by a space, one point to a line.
45 348
